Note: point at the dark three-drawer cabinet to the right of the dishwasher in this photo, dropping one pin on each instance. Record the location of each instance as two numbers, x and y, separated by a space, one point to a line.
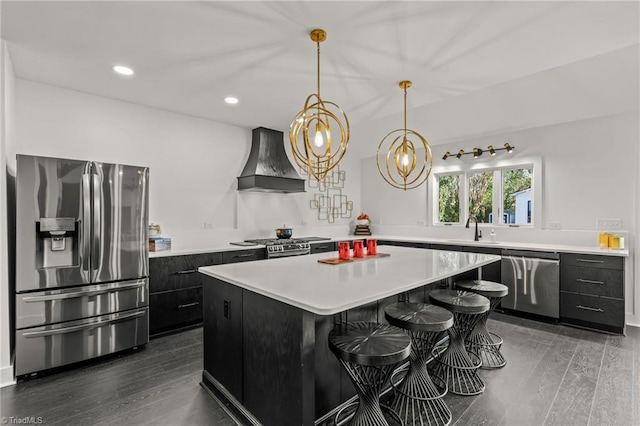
592 291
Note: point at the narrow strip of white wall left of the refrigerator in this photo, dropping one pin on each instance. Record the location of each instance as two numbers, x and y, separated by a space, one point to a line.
6 135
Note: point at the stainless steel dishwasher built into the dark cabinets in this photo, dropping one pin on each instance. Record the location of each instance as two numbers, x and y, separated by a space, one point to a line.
533 279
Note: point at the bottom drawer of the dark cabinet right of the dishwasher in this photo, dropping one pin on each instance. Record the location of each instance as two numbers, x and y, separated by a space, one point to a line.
593 309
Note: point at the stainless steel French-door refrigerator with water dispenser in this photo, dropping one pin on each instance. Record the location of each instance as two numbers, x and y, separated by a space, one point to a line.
82 261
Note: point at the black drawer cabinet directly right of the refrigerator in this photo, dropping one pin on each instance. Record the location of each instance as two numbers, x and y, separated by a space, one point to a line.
175 290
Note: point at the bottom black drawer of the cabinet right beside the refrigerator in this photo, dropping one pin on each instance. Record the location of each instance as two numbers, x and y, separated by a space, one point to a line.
174 309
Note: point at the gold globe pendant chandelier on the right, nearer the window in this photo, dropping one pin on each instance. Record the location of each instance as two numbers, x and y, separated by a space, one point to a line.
399 158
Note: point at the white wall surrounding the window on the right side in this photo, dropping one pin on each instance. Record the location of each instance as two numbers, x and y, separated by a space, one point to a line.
581 122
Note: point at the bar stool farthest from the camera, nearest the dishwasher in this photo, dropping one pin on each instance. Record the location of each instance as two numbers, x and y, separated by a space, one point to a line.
480 340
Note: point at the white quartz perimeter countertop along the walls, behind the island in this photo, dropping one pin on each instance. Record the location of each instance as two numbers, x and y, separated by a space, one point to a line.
561 248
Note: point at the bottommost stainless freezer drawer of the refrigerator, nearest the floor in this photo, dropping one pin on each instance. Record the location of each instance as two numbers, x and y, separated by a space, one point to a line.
41 348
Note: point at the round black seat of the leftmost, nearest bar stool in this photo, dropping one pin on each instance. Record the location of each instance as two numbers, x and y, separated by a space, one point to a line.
366 343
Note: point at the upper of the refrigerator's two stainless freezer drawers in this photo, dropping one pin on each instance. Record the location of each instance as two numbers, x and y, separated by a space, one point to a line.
54 306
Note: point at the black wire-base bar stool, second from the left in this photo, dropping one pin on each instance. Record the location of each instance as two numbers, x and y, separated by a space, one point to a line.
418 400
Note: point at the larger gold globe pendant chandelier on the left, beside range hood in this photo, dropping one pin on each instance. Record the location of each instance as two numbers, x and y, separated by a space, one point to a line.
313 130
